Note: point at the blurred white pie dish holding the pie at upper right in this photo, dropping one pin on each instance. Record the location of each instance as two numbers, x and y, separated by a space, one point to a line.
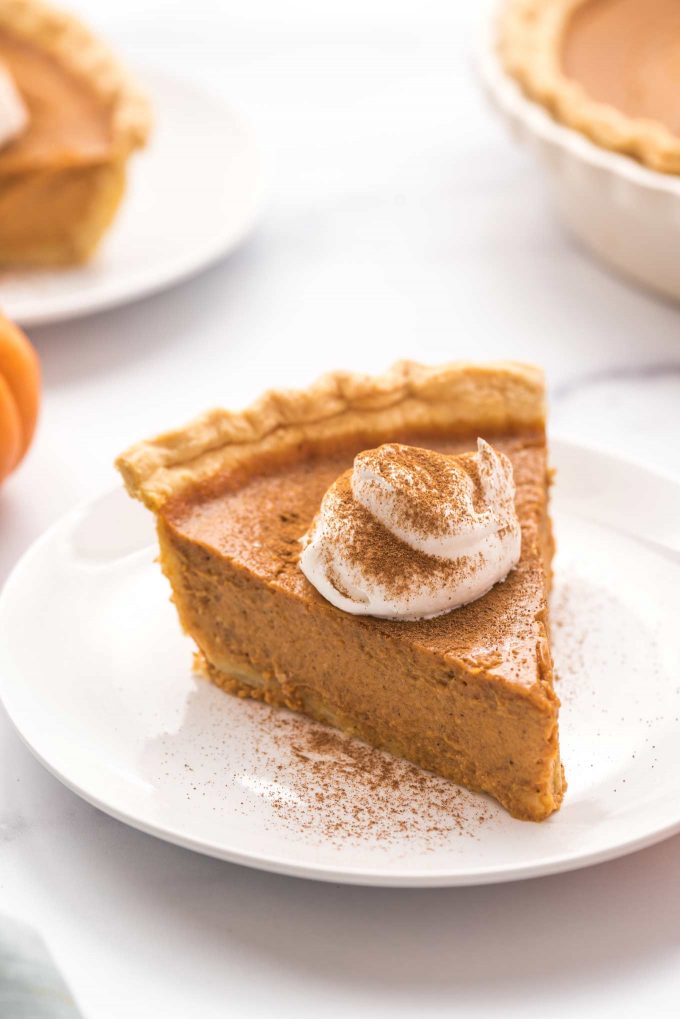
626 214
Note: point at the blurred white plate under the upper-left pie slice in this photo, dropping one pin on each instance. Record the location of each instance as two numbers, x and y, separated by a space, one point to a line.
194 195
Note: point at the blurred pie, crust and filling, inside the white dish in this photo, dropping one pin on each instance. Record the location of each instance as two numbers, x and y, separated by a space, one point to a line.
608 69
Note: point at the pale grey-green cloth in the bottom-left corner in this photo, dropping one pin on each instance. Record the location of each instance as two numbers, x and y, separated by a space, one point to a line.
31 987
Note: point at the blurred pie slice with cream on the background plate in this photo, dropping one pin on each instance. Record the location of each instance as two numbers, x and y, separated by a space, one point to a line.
70 120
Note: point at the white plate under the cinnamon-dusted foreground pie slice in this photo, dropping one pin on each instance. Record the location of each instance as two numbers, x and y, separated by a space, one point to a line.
96 677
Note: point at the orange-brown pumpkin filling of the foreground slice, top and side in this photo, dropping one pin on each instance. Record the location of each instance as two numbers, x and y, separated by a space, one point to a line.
467 694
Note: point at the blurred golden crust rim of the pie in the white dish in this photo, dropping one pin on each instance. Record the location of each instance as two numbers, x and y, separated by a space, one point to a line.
531 35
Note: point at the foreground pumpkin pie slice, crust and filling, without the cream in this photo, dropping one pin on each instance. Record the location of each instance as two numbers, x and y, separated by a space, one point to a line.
467 694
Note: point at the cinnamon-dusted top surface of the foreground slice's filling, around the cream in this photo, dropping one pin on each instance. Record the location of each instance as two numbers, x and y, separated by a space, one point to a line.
257 525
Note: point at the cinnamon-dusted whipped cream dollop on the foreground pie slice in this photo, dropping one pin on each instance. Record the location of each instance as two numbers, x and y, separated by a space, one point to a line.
410 534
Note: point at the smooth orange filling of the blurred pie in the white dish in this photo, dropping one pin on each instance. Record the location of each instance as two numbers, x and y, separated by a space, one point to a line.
626 53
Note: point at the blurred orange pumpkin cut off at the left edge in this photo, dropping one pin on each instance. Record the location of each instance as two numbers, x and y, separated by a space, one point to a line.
20 396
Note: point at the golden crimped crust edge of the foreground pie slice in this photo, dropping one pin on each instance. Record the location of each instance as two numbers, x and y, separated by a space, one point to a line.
461 397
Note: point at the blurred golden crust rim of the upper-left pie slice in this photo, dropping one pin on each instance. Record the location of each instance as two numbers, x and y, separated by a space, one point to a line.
84 56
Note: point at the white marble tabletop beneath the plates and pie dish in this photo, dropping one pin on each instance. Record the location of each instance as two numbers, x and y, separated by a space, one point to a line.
401 223
